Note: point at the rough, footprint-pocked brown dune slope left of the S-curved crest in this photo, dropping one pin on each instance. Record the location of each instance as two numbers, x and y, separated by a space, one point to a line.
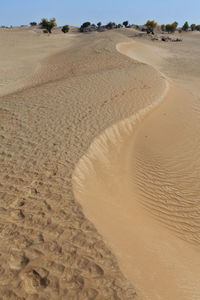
49 248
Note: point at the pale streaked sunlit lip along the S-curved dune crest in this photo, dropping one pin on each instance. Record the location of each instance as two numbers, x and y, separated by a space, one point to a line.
113 136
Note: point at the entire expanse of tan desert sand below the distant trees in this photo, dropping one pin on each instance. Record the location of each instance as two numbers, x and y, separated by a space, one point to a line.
99 166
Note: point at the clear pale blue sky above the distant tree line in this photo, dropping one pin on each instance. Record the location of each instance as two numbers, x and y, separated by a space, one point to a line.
22 12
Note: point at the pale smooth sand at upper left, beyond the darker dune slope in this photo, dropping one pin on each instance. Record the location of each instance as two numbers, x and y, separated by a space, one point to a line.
22 53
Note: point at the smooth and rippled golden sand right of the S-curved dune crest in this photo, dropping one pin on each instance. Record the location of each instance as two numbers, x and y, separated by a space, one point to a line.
143 193
